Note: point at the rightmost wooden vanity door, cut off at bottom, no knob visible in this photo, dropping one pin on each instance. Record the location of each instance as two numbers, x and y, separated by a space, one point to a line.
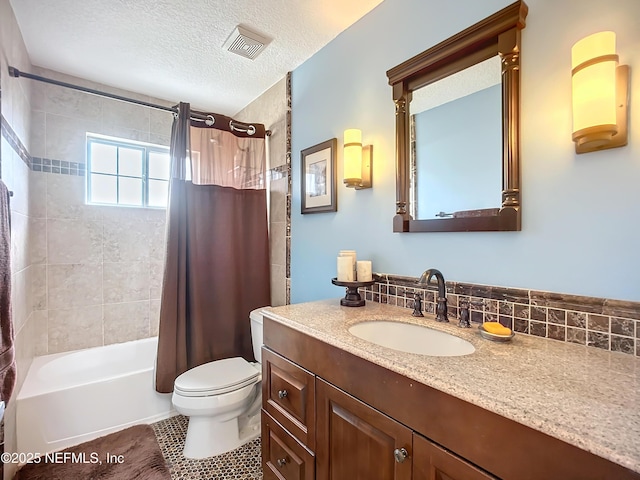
432 462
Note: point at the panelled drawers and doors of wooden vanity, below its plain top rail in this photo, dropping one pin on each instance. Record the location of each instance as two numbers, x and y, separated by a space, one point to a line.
352 439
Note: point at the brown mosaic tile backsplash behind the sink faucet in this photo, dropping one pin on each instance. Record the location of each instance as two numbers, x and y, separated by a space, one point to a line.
596 322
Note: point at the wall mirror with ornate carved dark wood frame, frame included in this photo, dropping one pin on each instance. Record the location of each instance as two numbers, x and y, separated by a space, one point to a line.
457 130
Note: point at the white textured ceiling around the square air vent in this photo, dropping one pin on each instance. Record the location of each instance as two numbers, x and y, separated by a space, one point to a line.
172 49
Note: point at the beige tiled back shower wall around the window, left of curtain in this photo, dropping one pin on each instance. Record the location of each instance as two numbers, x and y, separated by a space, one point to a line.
100 267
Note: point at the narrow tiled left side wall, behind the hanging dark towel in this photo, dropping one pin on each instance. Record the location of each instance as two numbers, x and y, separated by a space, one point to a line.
15 118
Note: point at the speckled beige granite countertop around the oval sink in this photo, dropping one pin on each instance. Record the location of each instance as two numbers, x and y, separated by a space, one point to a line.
584 396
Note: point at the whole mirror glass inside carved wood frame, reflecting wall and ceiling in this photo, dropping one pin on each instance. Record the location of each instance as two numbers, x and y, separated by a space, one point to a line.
456 143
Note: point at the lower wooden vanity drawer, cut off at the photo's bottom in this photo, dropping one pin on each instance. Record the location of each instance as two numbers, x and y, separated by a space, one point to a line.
283 457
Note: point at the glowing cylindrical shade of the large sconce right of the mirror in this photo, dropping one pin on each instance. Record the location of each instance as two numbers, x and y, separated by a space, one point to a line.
594 62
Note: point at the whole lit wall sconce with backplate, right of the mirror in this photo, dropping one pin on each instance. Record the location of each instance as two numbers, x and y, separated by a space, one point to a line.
600 91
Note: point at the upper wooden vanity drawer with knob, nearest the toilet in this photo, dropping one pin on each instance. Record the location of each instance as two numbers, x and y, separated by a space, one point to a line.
288 395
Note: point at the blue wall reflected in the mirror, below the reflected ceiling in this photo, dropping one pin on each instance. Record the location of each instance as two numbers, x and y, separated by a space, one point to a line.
459 145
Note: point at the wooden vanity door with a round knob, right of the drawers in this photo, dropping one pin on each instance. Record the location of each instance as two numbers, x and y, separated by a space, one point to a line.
357 442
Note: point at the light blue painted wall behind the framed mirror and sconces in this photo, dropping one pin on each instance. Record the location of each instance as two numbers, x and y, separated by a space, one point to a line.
581 213
